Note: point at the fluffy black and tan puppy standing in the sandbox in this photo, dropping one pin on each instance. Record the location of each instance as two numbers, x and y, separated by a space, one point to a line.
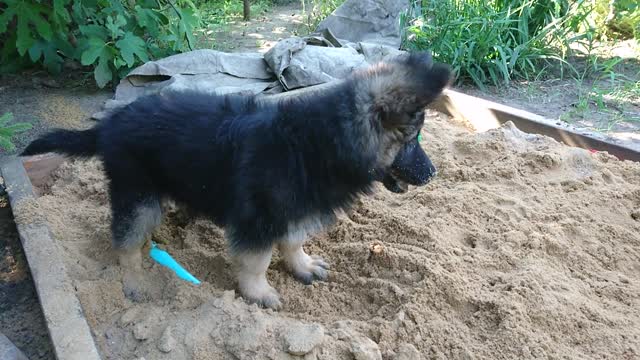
271 173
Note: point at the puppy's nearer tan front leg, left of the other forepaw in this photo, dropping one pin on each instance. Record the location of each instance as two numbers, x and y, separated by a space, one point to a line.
251 271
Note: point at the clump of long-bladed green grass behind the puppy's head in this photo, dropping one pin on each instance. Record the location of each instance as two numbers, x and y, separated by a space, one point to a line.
494 41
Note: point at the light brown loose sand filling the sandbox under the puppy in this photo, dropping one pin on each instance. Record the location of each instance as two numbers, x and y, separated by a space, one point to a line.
520 248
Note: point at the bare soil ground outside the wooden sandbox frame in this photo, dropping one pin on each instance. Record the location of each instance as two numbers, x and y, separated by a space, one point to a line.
68 102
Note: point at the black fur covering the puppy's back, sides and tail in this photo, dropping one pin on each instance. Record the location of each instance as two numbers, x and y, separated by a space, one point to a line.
250 165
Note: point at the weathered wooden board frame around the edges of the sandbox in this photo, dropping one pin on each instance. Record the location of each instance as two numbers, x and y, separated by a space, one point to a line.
68 329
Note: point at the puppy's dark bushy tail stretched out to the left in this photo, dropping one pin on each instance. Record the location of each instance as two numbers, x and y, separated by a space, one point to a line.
80 143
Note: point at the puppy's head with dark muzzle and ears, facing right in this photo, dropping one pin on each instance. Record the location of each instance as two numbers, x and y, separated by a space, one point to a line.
398 92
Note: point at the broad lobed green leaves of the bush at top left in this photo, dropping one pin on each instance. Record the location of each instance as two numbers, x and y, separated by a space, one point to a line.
112 36
